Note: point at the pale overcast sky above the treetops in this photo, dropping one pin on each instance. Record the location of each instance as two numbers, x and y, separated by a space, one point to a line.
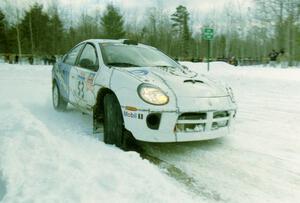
138 8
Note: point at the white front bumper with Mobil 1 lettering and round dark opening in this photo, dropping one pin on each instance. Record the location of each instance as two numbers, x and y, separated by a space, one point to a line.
175 128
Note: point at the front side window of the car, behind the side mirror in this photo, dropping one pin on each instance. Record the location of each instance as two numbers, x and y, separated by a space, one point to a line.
88 58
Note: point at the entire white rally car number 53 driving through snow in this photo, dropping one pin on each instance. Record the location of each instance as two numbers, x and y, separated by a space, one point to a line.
139 93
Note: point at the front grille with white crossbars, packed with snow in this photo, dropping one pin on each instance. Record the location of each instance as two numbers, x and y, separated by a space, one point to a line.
202 121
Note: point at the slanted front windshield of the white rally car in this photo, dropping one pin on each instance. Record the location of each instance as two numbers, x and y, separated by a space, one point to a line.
122 55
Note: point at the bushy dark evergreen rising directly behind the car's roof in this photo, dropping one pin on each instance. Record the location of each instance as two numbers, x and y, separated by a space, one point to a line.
112 23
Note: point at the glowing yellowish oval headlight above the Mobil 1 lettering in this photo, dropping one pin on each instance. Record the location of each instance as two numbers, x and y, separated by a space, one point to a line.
152 95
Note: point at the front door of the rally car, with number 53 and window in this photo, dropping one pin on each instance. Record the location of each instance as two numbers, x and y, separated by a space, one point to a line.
87 66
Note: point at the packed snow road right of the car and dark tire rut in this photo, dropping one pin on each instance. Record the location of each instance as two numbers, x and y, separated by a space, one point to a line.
260 161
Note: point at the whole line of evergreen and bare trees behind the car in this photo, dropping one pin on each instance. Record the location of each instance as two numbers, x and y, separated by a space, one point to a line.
274 24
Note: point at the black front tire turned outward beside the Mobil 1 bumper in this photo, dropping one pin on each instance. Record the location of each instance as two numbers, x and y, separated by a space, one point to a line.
114 131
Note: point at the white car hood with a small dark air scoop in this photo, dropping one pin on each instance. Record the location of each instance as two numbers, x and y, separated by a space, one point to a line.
184 83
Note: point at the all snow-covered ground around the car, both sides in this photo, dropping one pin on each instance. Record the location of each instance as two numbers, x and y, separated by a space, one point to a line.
46 156
